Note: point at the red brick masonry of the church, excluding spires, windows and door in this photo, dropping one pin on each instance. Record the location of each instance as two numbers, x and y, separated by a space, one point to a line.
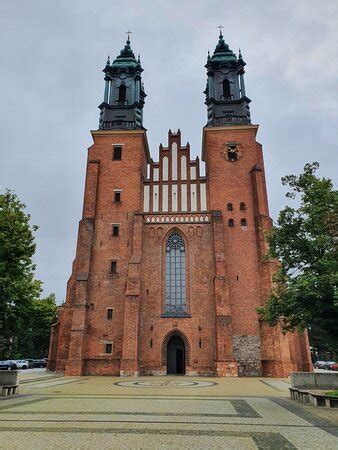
227 277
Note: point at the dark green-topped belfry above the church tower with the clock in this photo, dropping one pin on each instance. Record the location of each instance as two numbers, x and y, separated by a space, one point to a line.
226 101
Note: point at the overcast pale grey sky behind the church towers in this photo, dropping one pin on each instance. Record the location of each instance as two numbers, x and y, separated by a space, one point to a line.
52 54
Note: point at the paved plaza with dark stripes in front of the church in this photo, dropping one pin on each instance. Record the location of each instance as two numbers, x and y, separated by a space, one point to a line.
161 413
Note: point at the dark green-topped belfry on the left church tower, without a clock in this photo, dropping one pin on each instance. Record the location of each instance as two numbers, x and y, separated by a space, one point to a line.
123 100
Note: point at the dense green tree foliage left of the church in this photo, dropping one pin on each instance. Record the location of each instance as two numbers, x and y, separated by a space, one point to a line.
25 318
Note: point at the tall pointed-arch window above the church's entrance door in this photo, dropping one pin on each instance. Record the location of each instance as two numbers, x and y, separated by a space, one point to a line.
175 275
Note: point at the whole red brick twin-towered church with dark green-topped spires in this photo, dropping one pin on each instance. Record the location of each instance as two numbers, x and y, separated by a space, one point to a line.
169 266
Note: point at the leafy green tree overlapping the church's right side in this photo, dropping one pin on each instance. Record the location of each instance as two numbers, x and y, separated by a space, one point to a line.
304 294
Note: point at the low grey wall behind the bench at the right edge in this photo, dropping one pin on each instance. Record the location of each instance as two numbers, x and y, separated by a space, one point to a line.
313 380
